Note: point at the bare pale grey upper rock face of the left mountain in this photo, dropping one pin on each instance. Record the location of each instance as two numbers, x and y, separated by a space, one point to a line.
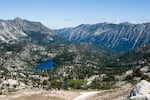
18 28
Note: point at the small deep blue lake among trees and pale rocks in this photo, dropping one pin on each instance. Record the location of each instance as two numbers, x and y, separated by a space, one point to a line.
44 65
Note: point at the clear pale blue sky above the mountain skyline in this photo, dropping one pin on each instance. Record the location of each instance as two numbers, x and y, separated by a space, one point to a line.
67 13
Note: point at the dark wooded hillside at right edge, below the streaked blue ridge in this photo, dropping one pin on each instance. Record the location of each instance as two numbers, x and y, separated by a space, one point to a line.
136 57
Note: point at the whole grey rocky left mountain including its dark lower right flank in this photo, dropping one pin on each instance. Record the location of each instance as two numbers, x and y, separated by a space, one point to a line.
19 29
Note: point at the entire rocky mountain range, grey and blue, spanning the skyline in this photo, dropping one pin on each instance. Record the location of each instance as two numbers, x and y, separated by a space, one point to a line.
118 37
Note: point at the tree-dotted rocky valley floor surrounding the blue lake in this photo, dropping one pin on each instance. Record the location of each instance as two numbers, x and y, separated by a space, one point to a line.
73 64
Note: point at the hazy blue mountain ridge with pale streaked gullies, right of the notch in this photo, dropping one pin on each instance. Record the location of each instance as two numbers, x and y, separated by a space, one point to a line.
120 37
